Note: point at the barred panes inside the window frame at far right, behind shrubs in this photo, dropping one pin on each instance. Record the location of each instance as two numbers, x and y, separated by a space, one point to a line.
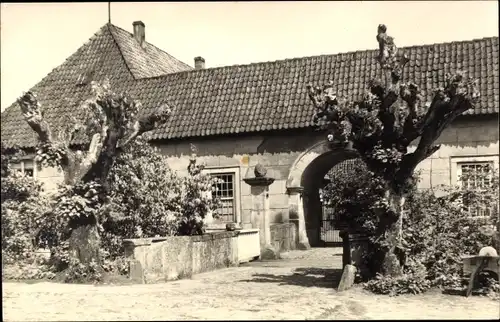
476 176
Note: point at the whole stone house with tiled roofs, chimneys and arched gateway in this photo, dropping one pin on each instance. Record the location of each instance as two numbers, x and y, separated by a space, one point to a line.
243 115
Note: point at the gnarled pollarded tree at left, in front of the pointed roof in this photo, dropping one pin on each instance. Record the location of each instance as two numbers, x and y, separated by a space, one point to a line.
111 121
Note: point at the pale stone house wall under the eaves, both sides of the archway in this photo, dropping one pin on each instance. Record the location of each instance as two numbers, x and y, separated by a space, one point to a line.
278 152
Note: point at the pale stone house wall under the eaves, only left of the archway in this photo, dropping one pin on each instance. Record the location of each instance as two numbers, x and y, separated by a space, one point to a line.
276 152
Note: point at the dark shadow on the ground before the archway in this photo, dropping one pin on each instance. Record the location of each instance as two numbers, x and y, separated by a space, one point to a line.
304 276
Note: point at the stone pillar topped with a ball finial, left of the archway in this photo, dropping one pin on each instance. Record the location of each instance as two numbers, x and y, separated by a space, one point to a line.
261 211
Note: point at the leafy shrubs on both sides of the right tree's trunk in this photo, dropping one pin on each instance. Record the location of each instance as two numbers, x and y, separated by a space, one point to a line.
437 229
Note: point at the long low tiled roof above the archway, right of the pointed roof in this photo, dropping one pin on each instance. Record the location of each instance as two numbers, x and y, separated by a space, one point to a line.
272 95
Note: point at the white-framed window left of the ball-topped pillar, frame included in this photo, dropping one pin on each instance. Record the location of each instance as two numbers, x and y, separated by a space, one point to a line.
227 190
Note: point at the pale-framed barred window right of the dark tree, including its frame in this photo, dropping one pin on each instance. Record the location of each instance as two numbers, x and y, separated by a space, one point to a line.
475 173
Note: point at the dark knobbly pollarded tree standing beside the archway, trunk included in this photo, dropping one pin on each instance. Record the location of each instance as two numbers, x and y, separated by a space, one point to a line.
382 126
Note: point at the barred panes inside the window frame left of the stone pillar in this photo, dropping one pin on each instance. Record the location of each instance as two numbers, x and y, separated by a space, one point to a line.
225 191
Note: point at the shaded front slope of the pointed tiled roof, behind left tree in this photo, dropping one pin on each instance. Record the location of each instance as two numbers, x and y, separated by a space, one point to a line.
99 57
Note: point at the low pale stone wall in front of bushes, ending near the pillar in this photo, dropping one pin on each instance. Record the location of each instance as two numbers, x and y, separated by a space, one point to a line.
170 258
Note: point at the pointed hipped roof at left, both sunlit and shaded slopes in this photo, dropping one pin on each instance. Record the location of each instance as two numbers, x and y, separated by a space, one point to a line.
110 53
